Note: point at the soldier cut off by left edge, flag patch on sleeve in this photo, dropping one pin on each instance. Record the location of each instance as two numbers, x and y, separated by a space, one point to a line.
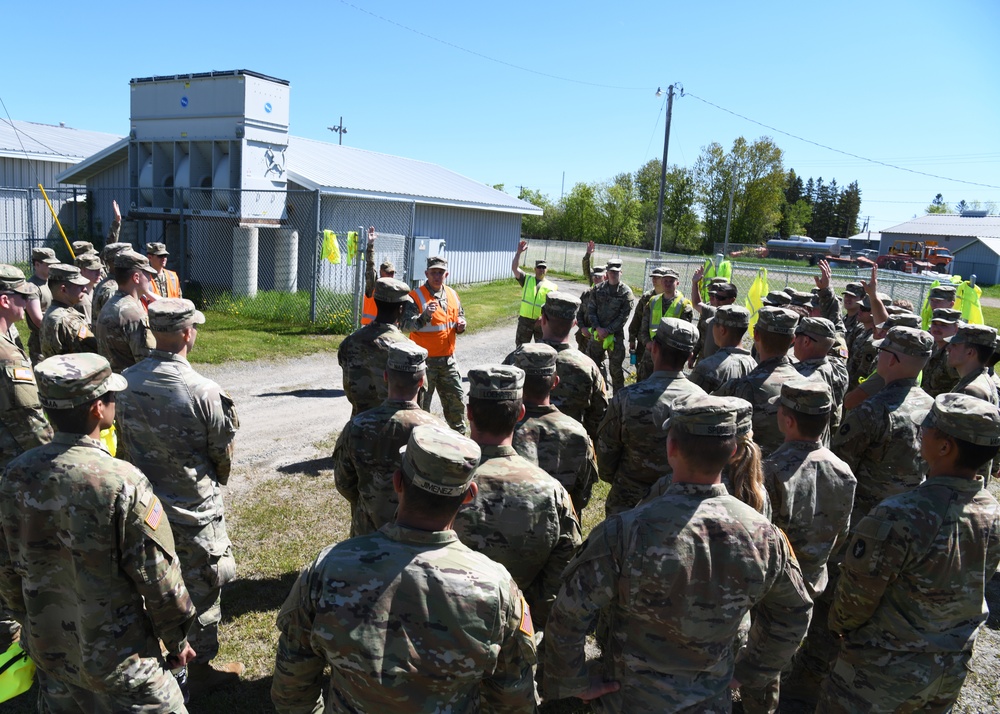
22 424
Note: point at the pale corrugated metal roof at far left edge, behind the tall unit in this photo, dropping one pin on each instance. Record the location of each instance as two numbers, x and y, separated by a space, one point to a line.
45 142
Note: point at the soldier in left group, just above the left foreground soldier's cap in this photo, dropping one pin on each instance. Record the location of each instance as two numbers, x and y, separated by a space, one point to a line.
65 329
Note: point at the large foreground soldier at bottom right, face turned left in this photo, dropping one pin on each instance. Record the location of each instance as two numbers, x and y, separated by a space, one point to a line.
910 598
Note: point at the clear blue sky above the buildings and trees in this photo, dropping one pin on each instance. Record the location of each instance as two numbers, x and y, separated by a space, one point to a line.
908 83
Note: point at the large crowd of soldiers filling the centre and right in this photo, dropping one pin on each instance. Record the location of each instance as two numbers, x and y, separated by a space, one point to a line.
759 534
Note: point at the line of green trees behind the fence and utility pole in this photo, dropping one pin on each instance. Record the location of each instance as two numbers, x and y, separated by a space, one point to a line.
767 202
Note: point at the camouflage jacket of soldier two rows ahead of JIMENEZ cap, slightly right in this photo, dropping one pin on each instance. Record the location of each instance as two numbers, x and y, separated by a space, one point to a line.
560 447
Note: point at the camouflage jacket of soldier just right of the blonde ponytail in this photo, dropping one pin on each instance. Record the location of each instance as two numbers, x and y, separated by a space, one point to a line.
811 492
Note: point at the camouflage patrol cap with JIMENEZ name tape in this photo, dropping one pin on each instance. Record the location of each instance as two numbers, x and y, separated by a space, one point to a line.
438 460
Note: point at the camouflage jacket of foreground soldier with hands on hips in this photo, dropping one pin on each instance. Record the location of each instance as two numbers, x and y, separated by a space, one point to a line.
673 580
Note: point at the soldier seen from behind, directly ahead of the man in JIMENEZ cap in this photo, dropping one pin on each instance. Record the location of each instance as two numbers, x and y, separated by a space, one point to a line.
522 518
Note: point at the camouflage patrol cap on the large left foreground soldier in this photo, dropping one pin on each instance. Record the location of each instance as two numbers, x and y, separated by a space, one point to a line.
67 381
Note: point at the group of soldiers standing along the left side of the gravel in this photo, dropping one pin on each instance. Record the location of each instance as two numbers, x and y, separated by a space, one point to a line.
113 542
